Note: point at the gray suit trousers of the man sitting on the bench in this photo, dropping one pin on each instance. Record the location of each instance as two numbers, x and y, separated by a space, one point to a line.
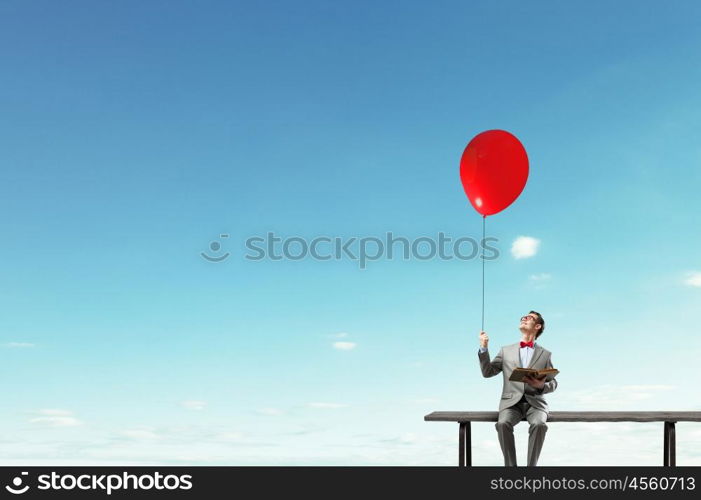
508 417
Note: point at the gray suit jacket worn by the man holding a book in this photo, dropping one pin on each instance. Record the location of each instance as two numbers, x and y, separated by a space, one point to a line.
505 362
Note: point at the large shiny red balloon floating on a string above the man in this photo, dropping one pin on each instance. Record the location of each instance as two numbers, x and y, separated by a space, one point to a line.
493 170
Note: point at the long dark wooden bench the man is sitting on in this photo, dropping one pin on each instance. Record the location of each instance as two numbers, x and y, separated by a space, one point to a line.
464 418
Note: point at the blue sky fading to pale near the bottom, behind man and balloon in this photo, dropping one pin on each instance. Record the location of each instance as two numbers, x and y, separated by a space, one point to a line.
133 135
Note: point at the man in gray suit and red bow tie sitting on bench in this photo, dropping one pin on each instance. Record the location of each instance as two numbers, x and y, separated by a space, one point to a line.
519 399
